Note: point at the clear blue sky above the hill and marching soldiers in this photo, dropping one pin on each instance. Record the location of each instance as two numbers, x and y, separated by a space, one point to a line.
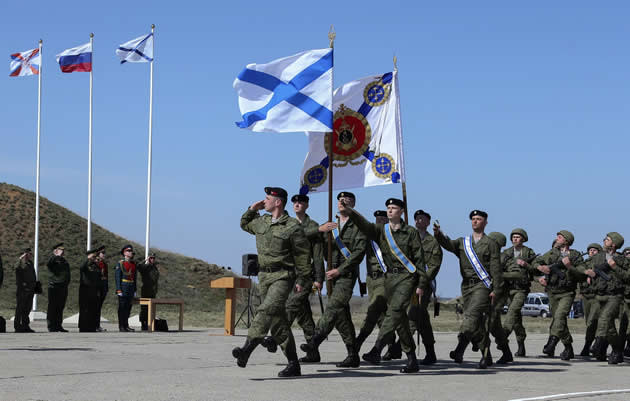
521 110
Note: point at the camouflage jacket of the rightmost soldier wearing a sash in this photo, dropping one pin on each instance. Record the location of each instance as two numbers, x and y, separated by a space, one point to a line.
489 255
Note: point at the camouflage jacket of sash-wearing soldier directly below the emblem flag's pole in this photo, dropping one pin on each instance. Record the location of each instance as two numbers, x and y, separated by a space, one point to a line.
407 239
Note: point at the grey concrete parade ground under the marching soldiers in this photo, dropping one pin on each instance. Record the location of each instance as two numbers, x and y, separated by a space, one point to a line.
197 365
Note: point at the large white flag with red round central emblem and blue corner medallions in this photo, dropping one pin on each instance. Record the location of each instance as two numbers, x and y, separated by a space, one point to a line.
367 138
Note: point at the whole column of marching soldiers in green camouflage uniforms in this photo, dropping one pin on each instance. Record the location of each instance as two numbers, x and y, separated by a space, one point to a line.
402 265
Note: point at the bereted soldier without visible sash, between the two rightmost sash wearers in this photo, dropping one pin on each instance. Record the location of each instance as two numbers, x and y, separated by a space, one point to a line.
418 314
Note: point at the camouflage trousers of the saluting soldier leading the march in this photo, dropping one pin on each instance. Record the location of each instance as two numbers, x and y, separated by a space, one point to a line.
271 315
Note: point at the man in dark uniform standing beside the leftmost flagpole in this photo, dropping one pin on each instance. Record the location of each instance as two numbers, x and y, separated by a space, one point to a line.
25 281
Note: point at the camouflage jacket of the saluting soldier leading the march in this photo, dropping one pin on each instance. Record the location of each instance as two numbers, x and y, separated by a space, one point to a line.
280 244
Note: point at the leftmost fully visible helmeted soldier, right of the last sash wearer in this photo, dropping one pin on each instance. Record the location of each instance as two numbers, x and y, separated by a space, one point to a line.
518 274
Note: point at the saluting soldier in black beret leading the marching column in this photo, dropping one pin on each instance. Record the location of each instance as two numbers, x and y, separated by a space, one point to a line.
284 256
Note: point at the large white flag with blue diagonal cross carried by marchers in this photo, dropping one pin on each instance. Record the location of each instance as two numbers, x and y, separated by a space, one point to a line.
291 94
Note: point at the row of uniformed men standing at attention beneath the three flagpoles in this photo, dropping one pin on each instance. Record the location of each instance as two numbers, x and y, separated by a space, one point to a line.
93 288
